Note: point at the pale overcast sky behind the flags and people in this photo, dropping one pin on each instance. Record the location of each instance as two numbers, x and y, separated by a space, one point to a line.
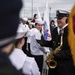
29 7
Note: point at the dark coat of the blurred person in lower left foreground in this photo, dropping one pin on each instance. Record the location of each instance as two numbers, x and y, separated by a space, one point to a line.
6 67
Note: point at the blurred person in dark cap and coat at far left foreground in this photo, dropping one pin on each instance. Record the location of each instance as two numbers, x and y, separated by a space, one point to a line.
9 20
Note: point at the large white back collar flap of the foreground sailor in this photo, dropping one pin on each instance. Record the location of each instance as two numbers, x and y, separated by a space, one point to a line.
18 58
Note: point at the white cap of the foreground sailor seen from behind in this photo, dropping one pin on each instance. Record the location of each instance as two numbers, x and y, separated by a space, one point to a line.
20 32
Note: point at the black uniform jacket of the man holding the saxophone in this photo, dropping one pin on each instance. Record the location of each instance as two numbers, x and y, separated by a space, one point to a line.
63 58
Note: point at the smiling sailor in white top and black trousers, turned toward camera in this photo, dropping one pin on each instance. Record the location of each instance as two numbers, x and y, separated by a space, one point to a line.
36 50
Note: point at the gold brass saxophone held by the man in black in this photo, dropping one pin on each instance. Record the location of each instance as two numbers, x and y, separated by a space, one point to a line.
50 58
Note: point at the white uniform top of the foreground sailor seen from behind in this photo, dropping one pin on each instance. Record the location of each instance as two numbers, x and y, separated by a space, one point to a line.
21 61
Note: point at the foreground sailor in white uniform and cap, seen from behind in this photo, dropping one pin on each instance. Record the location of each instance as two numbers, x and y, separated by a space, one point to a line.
19 59
